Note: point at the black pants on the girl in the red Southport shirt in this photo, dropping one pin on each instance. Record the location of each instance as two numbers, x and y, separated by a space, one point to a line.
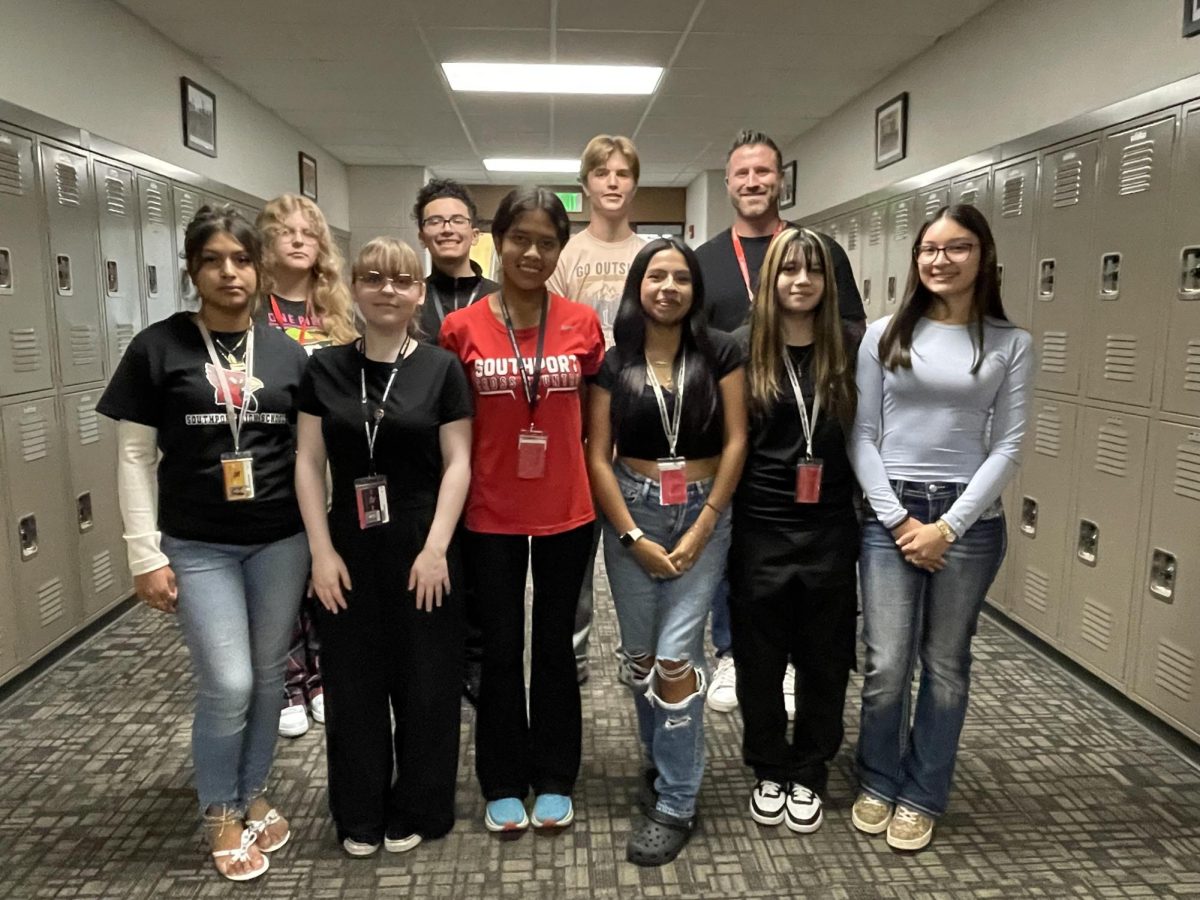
515 752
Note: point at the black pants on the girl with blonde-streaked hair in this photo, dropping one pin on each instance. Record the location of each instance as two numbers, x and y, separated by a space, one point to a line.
793 598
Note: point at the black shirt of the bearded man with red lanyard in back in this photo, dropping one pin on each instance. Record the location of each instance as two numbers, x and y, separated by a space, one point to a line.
725 292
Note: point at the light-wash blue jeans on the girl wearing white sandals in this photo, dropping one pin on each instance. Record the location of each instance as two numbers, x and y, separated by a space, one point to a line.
237 607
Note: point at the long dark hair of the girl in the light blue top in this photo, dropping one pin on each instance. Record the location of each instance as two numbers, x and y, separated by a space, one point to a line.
896 346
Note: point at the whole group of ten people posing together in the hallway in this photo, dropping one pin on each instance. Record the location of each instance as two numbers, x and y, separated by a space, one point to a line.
404 483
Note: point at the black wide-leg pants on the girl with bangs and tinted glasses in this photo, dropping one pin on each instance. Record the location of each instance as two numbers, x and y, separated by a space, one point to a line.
382 657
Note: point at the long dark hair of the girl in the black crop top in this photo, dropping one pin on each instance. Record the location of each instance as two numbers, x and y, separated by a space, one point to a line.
629 334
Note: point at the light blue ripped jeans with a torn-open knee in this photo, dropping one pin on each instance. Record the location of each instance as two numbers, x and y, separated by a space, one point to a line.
664 620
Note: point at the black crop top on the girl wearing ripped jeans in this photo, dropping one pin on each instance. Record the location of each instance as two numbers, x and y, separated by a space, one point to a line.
640 433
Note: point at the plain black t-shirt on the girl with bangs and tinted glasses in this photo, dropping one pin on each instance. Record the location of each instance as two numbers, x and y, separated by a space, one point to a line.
430 391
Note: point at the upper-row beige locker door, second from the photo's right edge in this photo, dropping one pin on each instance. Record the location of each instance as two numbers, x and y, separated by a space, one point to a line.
1133 271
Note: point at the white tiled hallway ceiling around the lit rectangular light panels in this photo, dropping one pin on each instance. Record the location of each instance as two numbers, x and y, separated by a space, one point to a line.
363 80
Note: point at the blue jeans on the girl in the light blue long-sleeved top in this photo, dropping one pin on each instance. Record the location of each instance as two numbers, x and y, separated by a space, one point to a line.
910 615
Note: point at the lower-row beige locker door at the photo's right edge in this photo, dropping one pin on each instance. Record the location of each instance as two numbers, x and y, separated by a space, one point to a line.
1167 673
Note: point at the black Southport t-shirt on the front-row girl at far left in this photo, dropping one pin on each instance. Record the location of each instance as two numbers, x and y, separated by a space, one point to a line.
166 381
